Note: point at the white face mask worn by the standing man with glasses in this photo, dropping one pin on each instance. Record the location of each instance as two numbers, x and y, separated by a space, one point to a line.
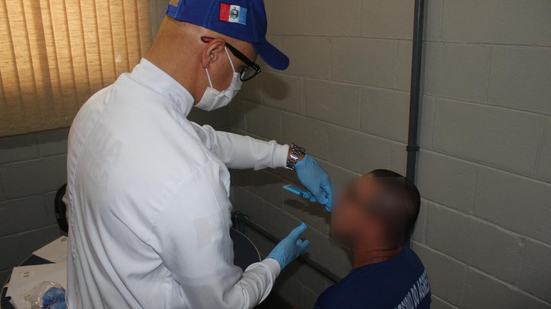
214 99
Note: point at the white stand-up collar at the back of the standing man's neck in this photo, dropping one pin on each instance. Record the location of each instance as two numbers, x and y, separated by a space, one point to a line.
162 83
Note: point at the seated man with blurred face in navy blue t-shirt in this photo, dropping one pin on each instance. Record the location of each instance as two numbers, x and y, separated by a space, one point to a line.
374 216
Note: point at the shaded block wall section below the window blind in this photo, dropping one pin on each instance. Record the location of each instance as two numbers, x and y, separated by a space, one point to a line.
32 168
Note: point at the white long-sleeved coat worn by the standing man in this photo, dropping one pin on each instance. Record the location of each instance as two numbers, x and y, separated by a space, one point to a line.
148 202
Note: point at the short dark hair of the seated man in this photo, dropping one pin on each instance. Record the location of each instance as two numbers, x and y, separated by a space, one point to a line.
398 184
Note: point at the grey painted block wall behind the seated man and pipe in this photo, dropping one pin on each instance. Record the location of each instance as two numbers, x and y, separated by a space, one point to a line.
484 170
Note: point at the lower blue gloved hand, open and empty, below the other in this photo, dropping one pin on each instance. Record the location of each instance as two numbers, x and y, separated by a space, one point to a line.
290 247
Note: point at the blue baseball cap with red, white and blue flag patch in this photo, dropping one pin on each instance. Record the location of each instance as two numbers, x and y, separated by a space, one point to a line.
240 19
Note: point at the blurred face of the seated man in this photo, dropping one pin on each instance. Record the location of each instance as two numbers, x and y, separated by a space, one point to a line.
352 219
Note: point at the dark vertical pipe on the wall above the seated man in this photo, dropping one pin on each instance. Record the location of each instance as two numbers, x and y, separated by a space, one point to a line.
417 57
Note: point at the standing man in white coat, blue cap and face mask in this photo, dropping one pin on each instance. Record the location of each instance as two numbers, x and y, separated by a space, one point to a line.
148 190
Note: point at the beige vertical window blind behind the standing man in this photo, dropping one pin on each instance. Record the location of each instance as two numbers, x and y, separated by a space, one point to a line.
54 54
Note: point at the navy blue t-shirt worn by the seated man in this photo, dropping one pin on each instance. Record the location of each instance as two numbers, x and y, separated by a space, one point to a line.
399 283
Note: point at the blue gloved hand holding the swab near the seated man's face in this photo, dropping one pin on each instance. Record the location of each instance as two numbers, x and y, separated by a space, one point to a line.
316 180
